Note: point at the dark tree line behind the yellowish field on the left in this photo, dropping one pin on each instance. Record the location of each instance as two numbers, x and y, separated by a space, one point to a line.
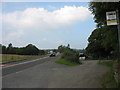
27 50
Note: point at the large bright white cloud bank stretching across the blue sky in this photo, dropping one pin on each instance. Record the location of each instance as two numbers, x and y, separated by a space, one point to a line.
39 19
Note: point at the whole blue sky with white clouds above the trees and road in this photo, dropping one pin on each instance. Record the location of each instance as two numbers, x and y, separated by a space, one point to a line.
46 25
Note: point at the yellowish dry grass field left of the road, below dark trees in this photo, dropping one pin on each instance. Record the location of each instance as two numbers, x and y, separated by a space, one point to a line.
6 58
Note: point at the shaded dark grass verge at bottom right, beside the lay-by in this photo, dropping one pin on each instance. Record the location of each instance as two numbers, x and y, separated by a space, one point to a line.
108 80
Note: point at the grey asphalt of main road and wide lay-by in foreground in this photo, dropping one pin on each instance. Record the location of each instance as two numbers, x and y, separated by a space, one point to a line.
45 73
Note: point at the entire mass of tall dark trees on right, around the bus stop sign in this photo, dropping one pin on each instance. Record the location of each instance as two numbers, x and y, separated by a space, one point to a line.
103 42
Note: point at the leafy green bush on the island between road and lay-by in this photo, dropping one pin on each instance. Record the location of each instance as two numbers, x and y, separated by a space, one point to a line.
71 55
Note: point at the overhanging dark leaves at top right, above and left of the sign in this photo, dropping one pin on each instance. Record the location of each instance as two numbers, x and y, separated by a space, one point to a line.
99 10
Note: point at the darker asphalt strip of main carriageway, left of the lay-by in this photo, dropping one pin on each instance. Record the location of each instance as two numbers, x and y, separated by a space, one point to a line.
18 66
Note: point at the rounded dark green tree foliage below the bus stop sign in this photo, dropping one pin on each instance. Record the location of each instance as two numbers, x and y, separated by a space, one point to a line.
103 42
